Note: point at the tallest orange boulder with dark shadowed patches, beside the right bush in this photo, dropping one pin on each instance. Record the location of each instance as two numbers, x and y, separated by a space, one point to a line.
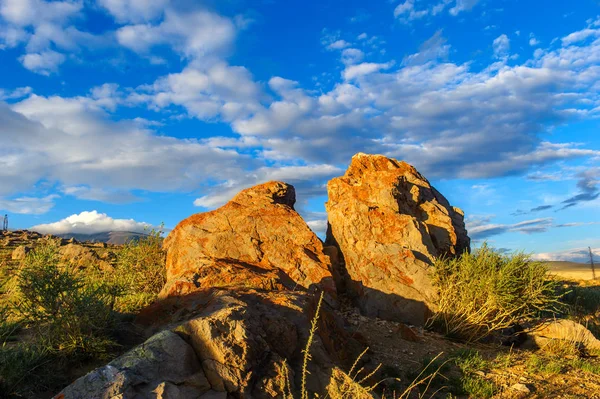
389 224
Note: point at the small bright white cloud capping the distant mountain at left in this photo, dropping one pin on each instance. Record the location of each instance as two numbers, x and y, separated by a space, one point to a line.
91 223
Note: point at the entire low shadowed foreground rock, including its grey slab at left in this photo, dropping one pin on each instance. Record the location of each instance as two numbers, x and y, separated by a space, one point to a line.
234 343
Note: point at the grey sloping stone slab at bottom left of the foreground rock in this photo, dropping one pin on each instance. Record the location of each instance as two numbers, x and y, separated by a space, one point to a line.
164 366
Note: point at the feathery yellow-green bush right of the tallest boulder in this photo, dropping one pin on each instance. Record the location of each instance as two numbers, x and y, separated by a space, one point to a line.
485 291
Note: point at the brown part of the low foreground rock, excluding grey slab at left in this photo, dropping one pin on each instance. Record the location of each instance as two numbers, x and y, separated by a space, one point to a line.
242 337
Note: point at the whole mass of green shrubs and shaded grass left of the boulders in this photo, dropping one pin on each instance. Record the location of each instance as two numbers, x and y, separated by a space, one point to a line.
54 318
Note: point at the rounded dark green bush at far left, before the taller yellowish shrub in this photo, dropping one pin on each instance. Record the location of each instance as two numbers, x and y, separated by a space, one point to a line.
69 314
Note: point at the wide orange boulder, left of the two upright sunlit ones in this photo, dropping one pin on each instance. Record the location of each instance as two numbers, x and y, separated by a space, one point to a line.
259 232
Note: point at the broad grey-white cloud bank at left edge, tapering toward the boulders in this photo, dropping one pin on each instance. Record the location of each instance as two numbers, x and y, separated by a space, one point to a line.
72 141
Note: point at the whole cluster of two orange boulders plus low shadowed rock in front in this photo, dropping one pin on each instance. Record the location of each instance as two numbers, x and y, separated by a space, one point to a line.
235 313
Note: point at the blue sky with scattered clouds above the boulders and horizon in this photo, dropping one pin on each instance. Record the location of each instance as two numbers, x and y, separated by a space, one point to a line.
119 113
